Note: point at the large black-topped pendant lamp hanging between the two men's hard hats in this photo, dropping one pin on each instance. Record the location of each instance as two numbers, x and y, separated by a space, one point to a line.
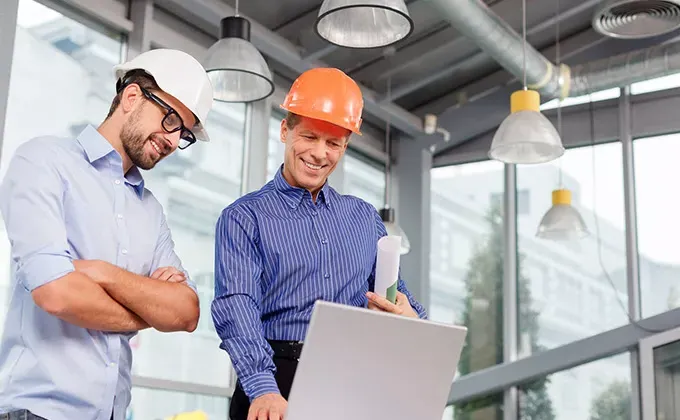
235 67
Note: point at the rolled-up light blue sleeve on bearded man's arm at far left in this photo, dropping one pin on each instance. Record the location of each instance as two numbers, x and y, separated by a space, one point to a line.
31 202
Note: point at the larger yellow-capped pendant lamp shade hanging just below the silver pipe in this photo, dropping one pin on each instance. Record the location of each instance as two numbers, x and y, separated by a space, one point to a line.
526 136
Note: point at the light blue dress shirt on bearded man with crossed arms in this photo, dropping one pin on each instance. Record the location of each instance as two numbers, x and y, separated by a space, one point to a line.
64 199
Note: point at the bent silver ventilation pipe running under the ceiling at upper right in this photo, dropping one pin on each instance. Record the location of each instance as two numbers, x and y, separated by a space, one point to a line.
495 37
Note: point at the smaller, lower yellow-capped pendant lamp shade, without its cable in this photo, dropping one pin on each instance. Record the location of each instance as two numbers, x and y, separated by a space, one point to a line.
562 222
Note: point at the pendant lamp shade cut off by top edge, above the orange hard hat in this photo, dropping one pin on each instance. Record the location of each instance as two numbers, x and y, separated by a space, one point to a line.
363 24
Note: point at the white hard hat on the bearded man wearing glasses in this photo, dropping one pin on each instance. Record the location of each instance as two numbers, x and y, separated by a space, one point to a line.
180 75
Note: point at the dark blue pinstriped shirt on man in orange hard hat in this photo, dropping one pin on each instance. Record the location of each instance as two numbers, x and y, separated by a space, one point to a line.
276 253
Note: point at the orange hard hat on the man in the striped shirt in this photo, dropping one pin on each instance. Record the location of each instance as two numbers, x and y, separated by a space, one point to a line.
326 94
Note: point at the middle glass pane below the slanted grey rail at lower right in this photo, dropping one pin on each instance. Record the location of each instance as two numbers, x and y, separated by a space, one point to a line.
596 391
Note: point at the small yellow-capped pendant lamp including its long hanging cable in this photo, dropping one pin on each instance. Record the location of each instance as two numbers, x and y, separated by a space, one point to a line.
562 221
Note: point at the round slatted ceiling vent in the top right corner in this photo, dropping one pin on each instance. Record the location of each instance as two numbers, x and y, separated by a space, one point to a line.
632 19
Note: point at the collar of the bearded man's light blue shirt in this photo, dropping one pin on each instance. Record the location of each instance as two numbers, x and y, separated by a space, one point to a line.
96 147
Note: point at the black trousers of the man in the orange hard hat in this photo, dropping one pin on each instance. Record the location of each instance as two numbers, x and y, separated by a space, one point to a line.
286 357
